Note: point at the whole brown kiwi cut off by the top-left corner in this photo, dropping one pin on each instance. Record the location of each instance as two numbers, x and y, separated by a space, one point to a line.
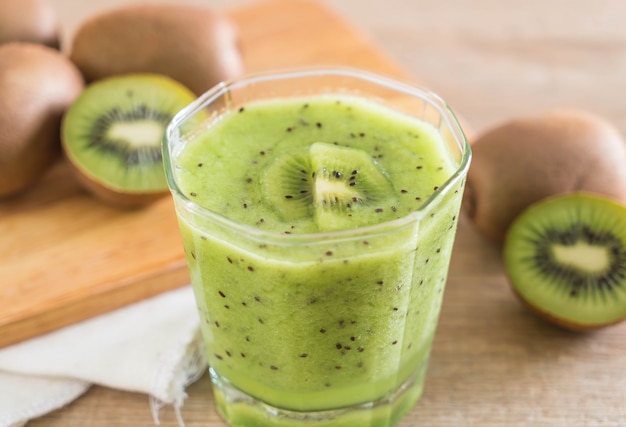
33 21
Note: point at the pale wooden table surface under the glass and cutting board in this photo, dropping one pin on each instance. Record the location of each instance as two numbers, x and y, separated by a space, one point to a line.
493 363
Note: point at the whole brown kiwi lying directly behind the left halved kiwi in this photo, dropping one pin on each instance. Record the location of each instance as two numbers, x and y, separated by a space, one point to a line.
194 45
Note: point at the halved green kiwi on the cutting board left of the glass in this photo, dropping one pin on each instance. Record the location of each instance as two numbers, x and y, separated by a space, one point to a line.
112 135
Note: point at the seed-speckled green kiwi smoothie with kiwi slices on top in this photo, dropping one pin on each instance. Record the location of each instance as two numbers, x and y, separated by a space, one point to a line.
320 271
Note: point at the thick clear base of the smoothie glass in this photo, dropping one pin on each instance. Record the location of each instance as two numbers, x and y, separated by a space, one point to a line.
241 410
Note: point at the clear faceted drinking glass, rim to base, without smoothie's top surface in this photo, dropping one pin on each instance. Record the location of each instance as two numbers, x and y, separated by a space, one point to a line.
327 328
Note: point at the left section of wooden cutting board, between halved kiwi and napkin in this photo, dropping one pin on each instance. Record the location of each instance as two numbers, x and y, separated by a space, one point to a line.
65 256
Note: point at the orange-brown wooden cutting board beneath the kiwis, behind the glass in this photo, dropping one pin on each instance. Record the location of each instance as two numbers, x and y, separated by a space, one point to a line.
65 256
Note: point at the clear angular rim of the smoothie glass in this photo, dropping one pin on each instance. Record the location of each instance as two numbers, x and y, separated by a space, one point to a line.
394 83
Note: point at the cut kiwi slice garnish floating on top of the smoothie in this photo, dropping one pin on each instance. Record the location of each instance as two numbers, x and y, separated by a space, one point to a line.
339 187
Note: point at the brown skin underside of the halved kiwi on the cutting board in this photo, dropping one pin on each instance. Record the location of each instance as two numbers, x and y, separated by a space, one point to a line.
111 196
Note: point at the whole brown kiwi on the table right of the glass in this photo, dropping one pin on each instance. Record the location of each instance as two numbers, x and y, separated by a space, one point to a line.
528 159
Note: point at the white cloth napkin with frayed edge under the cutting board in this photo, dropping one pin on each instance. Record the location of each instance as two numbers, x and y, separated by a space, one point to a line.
153 347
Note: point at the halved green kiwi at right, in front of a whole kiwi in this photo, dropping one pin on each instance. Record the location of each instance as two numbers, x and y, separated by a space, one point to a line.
566 258
